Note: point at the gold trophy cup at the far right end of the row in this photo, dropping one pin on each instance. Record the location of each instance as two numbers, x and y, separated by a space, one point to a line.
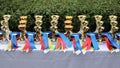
113 24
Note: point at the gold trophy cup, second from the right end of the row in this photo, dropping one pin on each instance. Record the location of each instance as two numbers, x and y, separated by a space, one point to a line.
99 27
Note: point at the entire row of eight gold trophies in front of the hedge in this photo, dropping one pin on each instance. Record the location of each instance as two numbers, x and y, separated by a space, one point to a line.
68 26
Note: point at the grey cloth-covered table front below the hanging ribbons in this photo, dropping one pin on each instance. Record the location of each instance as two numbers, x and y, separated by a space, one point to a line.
59 59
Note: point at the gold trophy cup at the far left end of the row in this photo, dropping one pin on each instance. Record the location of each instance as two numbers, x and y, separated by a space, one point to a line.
5 27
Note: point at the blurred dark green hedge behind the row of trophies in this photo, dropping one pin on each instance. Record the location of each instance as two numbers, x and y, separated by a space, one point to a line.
47 8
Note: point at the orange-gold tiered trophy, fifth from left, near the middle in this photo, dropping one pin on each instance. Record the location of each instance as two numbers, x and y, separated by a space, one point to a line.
68 26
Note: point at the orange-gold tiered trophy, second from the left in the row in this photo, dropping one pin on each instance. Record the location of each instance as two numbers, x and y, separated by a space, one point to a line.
22 27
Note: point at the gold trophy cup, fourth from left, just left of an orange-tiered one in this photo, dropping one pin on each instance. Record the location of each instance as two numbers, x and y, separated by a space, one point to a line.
54 27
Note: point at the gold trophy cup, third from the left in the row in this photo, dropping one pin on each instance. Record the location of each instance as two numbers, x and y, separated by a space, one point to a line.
38 27
